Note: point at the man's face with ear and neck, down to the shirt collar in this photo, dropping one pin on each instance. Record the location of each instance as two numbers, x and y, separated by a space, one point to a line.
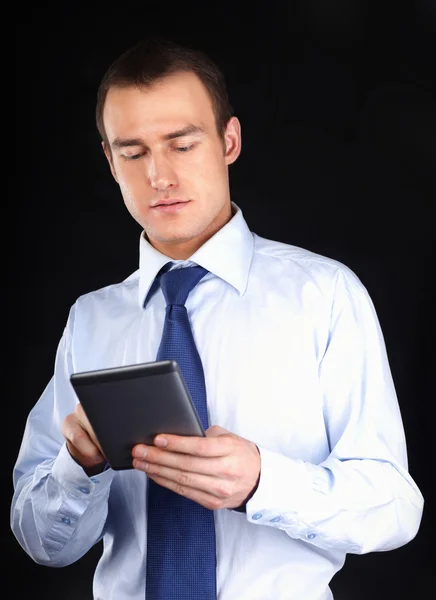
164 145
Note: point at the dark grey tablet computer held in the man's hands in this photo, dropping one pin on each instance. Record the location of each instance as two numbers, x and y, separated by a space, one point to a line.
131 404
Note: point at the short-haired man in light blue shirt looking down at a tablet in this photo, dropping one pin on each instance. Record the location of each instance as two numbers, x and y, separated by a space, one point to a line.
305 457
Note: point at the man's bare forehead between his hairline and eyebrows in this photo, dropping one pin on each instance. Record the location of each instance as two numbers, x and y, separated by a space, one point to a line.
166 105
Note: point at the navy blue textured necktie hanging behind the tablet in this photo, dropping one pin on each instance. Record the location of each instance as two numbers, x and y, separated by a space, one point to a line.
181 555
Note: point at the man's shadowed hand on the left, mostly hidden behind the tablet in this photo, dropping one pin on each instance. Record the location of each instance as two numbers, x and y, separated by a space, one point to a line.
81 441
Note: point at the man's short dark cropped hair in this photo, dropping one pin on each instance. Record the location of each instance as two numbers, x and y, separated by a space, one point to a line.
150 61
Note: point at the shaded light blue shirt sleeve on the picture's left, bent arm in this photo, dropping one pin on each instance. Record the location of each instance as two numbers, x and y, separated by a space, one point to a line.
57 513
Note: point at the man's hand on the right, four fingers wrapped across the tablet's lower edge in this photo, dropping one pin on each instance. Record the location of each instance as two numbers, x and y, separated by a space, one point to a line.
220 470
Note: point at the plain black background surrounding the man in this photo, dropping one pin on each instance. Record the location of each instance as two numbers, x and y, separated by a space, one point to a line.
337 105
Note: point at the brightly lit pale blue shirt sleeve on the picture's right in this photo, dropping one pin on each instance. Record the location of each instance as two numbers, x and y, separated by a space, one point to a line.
361 498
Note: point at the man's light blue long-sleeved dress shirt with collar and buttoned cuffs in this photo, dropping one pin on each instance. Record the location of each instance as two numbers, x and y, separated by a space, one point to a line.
294 361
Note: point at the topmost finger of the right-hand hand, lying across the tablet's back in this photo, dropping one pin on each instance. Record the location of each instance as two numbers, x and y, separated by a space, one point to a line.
197 446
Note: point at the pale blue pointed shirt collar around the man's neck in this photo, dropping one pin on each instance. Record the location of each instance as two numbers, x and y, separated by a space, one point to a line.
227 254
